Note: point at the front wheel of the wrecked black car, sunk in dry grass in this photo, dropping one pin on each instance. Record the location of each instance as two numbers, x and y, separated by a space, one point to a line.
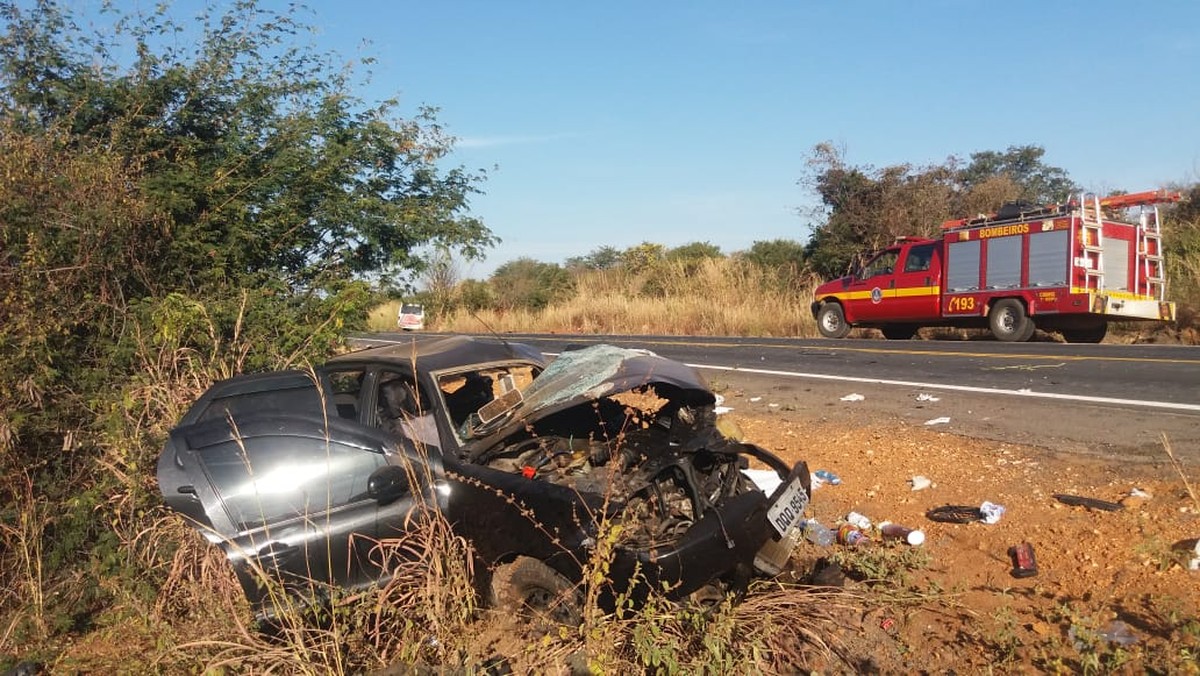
536 591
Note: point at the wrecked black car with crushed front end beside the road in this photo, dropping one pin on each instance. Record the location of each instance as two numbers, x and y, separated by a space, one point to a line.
302 475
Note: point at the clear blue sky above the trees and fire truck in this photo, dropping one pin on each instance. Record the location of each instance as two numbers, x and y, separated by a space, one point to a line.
673 122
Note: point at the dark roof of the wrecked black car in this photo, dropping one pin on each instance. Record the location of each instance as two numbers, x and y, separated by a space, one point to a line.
440 352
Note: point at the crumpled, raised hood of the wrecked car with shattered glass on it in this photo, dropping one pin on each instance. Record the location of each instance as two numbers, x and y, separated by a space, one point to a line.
583 376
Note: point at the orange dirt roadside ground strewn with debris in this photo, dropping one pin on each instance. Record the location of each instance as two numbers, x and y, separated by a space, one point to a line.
1113 589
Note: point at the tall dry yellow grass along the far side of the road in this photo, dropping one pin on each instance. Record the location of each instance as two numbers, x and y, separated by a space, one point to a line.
715 297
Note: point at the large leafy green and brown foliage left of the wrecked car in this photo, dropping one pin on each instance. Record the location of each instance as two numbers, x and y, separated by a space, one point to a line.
182 204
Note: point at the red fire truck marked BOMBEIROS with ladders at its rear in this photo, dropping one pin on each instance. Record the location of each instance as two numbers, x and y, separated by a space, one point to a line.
1070 268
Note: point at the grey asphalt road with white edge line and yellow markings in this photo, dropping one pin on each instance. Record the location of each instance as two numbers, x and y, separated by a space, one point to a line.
1107 400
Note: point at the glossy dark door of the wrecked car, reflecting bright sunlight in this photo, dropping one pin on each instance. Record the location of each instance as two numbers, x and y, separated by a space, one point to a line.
287 500
